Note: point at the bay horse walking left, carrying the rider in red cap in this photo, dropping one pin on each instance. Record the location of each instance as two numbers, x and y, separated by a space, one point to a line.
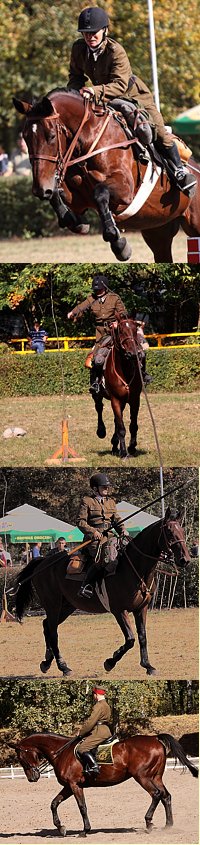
140 757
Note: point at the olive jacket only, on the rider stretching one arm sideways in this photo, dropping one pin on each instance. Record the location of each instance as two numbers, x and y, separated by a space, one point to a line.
104 311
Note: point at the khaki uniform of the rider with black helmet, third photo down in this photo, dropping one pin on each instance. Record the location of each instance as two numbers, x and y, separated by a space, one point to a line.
95 515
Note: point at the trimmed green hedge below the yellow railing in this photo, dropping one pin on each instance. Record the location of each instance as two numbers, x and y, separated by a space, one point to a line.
34 375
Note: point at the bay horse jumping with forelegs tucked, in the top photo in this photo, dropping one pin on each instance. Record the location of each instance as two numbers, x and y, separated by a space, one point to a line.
70 161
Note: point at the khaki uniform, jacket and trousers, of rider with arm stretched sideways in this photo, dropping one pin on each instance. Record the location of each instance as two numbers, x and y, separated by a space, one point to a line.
104 309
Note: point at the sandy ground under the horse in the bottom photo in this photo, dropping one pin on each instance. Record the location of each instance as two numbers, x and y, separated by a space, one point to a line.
116 814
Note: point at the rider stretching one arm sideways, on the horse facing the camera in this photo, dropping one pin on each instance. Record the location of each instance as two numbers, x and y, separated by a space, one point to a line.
107 308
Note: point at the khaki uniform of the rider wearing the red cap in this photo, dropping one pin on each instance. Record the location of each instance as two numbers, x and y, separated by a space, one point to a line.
97 726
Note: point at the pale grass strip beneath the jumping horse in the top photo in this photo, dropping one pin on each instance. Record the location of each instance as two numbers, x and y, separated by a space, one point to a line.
73 248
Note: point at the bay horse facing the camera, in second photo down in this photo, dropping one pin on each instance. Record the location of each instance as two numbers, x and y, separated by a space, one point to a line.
123 384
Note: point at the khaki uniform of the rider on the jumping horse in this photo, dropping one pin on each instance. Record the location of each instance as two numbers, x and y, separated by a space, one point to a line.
111 76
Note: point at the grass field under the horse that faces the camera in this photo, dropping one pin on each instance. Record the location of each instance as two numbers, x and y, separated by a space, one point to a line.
176 417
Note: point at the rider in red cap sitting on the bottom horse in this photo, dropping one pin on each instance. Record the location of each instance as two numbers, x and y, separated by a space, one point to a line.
96 730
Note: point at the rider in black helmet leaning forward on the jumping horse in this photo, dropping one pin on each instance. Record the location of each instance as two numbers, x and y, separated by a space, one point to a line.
102 60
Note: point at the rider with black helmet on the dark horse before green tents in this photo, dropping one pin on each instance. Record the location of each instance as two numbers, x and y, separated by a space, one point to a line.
98 514
